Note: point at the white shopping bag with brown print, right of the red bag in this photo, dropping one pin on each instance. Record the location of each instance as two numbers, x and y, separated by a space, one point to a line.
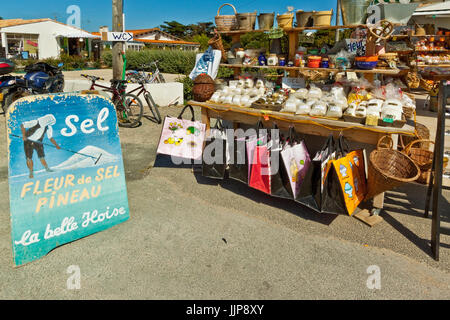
295 162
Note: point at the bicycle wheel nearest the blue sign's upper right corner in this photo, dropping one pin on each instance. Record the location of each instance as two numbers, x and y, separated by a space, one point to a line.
129 110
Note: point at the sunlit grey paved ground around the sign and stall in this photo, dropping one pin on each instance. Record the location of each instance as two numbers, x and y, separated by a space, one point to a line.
190 238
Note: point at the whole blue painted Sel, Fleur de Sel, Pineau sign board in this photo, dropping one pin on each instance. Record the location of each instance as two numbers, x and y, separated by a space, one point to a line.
66 175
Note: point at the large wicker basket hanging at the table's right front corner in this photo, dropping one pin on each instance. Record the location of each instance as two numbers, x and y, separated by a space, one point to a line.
389 169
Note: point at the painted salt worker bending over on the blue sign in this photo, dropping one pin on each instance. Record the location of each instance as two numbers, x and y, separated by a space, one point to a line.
33 133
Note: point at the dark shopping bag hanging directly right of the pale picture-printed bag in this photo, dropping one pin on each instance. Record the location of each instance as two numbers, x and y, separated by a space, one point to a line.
214 161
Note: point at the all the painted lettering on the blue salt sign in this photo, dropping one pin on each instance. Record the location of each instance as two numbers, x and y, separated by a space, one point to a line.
52 195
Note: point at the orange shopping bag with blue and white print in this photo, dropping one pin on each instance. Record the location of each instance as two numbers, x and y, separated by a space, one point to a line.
350 177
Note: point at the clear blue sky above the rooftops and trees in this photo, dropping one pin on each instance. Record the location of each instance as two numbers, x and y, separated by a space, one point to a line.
147 14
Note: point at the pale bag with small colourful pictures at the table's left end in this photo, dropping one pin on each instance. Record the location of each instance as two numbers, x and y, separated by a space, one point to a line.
182 138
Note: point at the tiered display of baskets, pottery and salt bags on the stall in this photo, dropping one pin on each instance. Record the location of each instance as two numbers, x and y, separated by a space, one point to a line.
337 83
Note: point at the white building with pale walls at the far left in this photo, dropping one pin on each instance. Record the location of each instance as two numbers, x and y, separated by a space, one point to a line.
43 38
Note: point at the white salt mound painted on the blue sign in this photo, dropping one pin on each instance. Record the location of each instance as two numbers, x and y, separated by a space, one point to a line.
82 161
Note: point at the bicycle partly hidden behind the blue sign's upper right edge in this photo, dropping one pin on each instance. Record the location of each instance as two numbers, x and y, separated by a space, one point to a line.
128 106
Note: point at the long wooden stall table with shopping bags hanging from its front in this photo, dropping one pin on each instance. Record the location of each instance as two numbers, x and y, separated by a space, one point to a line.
303 124
